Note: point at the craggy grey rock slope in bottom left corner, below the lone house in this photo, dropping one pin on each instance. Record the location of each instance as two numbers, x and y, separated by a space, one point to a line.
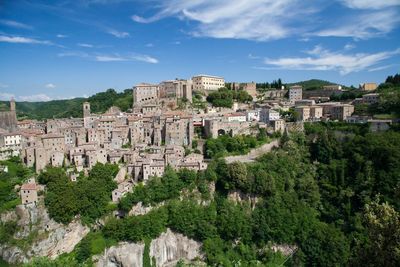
51 238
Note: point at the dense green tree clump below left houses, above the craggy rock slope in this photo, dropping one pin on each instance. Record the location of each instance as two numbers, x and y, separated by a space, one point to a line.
89 196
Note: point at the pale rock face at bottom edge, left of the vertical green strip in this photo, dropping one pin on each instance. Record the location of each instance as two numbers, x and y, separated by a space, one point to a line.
123 255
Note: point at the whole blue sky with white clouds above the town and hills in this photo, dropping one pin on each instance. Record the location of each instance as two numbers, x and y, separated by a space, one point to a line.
62 49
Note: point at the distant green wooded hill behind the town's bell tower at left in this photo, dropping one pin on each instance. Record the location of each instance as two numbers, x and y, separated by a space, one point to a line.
99 102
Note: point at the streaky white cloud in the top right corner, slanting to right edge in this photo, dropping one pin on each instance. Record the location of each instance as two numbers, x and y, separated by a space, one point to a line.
364 26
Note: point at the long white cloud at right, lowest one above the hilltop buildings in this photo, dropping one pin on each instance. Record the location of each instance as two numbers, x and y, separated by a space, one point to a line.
322 59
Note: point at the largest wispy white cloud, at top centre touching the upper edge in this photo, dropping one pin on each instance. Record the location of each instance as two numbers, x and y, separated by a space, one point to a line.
257 20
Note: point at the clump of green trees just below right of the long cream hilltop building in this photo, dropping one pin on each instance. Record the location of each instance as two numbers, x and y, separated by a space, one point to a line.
225 98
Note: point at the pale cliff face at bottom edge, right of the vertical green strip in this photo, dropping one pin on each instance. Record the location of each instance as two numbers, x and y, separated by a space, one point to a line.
169 248
